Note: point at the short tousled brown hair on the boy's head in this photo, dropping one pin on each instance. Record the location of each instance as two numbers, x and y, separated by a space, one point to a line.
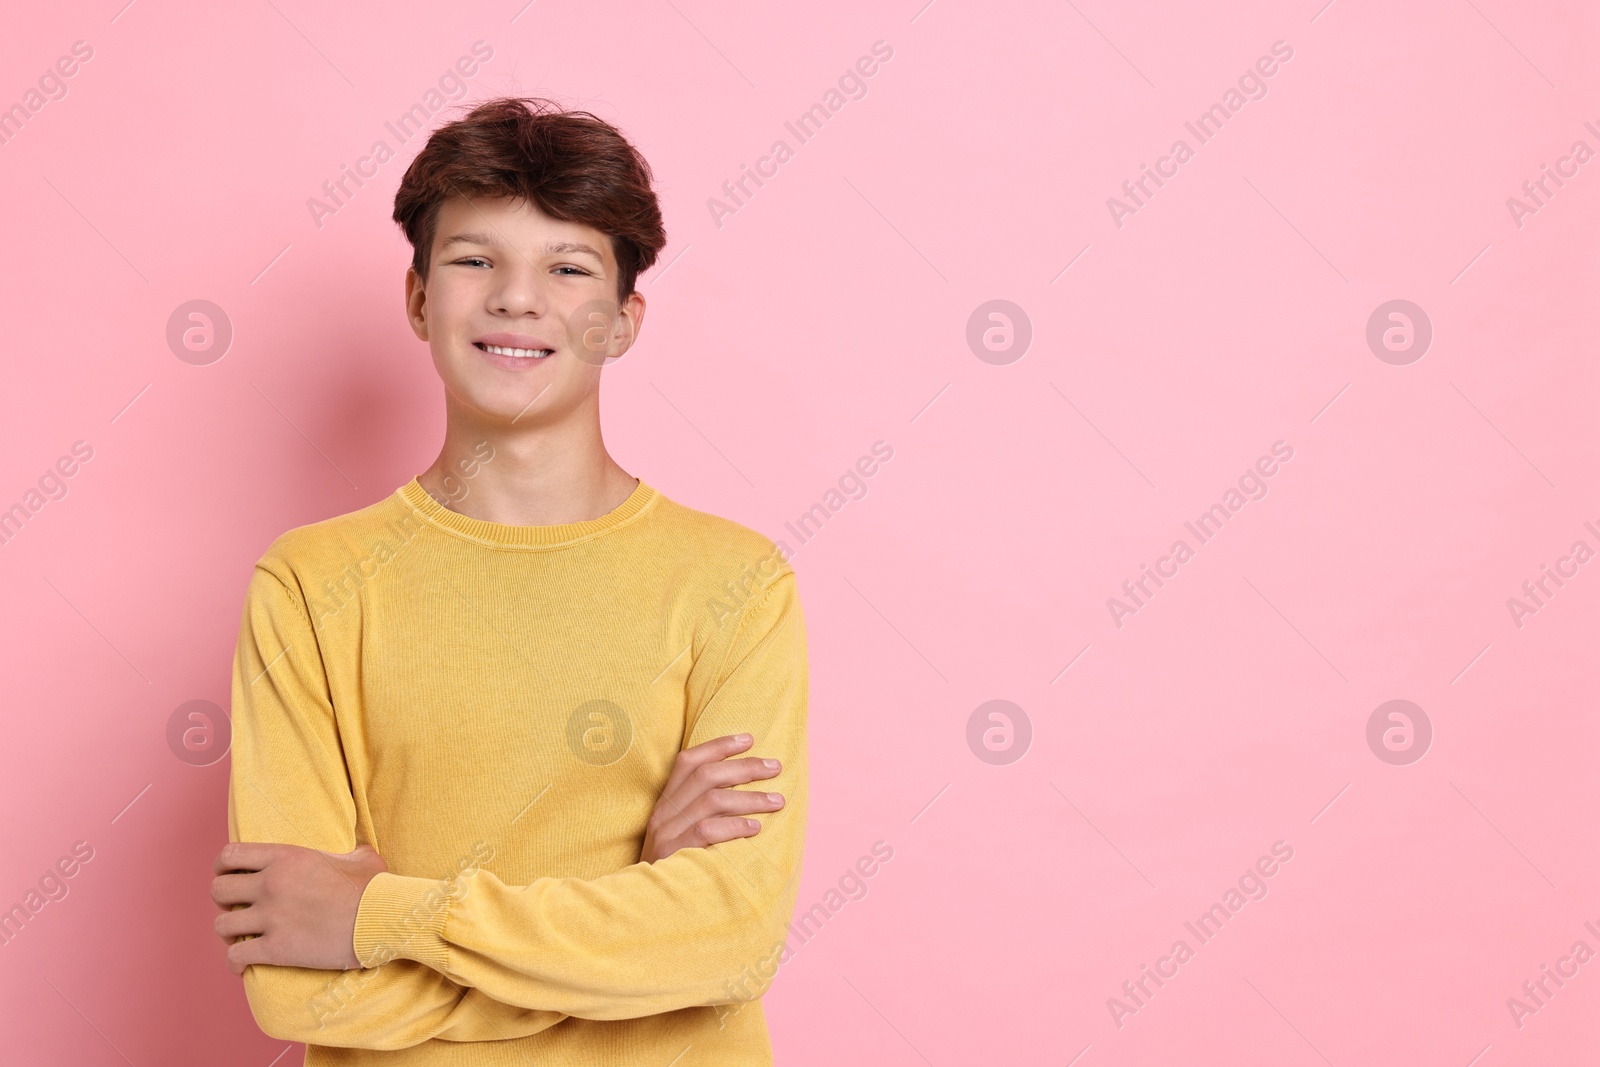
574 166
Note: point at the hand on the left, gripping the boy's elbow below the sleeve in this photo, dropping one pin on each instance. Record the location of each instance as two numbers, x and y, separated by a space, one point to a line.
292 906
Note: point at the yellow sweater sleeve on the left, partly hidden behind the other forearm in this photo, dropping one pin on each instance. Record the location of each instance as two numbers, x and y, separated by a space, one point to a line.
290 786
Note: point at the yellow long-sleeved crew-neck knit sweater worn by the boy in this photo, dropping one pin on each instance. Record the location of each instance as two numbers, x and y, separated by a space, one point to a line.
497 709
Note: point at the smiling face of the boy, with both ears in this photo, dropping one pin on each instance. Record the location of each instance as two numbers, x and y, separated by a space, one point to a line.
506 279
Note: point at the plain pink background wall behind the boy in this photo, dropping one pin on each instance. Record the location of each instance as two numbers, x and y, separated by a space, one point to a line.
831 313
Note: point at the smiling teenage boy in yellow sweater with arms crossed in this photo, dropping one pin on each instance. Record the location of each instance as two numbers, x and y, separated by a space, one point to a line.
484 799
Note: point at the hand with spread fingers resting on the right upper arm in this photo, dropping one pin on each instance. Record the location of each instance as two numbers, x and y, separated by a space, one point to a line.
700 805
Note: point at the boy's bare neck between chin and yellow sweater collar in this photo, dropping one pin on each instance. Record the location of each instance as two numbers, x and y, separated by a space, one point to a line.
537 476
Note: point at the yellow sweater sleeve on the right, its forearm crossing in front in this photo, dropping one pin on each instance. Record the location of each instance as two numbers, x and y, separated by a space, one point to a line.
695 929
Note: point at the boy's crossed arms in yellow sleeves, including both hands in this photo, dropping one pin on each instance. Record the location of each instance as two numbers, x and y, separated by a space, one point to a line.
474 959
